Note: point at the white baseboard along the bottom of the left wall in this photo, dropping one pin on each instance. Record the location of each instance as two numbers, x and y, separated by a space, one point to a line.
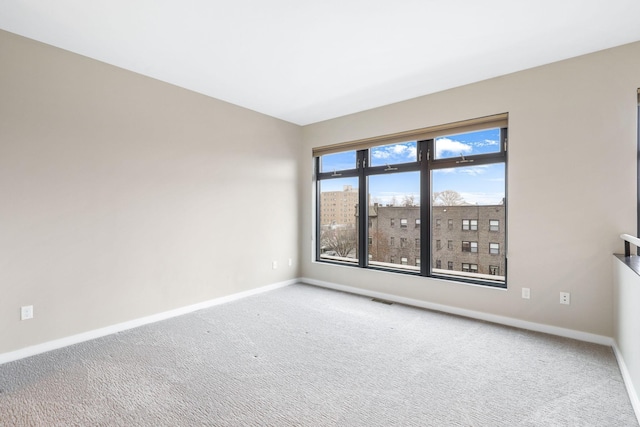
97 333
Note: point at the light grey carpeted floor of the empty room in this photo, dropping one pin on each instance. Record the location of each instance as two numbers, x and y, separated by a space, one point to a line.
305 356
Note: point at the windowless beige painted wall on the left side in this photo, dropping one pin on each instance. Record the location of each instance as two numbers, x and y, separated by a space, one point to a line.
122 196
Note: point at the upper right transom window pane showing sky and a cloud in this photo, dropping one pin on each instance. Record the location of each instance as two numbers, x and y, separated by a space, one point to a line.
467 144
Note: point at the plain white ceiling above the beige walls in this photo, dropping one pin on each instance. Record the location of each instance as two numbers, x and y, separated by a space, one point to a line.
306 61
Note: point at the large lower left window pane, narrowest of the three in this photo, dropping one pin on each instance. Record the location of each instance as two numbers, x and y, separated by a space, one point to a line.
338 219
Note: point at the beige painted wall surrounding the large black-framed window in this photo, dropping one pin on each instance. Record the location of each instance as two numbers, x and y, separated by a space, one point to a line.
571 186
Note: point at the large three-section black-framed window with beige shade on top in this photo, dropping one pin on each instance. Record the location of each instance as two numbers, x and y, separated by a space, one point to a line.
451 174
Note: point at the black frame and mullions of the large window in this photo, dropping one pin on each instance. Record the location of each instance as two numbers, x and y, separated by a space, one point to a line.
425 164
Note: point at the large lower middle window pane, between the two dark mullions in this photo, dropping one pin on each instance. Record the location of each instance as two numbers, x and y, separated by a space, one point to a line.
394 204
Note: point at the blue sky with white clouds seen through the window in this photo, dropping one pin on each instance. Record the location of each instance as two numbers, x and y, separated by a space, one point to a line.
483 184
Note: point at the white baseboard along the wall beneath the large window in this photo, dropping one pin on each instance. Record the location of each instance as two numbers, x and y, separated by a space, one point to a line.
503 320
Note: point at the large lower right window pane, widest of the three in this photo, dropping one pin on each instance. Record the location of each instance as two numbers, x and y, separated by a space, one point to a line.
472 198
